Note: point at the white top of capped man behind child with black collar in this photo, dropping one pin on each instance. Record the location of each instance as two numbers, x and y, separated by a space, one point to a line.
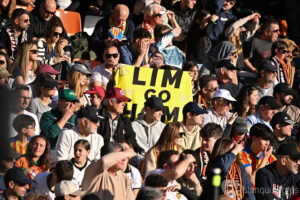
64 149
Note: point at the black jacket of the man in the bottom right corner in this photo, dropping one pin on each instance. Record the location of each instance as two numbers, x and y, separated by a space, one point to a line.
270 185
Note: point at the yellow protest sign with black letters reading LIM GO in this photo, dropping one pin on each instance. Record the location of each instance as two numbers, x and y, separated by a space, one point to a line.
172 86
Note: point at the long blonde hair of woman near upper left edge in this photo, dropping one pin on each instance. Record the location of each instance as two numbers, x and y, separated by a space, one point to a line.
22 59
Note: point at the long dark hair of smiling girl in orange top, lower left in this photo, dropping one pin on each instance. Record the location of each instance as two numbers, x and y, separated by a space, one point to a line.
45 158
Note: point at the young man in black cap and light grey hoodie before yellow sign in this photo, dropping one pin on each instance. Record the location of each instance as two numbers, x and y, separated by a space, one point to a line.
149 125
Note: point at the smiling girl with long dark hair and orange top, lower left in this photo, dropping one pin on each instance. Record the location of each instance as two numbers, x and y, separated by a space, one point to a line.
37 157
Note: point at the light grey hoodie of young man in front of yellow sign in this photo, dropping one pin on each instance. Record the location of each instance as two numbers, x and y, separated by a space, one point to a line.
146 136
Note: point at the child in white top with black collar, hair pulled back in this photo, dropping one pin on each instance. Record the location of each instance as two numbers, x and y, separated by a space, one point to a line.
80 161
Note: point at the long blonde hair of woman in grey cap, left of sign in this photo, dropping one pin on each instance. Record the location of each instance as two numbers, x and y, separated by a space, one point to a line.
74 83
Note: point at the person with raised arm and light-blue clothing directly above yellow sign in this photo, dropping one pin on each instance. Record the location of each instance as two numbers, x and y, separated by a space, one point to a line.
163 37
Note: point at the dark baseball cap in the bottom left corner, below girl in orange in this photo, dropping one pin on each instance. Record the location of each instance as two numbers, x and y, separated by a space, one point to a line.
17 175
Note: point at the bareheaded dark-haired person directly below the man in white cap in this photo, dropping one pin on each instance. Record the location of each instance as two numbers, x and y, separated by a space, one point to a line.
210 133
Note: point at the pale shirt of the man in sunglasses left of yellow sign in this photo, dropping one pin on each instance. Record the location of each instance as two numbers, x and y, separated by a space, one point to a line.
100 74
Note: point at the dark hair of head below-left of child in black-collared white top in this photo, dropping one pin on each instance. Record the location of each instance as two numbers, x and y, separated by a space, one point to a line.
64 170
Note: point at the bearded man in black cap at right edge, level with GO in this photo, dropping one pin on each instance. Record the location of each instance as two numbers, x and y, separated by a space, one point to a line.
284 96
